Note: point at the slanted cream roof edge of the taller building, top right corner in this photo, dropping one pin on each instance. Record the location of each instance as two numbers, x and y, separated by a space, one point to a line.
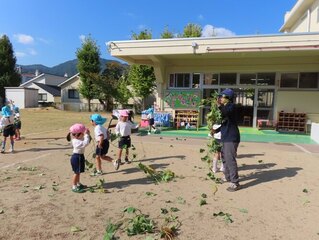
295 14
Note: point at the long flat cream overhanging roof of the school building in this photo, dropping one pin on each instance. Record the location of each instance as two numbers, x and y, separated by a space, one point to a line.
158 52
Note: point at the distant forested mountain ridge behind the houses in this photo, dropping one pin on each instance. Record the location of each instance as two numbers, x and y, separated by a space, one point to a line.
68 67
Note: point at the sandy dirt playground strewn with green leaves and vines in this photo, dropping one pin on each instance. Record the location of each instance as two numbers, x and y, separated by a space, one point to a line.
279 199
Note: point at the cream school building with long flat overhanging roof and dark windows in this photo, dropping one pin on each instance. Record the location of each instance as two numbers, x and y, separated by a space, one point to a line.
269 73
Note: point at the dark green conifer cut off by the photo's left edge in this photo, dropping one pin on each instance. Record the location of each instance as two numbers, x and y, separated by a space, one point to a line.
9 77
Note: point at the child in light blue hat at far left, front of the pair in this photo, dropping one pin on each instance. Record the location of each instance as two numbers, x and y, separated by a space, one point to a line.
7 126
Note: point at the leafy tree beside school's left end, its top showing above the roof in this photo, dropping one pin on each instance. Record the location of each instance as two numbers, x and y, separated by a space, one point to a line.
142 77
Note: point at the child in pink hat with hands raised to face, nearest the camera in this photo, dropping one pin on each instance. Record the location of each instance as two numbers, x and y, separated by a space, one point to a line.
80 139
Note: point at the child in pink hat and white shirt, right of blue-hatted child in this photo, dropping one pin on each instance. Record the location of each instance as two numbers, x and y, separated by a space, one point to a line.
123 129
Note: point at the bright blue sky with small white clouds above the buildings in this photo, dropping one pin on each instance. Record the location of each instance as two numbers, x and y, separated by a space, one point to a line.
49 32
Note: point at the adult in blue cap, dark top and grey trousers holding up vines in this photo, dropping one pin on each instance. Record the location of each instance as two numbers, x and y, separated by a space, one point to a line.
230 138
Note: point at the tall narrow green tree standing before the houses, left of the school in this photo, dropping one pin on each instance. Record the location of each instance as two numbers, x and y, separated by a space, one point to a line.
89 68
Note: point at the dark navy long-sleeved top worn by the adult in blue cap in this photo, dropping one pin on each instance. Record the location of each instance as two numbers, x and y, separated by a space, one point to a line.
229 129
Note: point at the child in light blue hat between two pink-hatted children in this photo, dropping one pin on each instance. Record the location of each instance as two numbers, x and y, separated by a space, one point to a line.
102 148
